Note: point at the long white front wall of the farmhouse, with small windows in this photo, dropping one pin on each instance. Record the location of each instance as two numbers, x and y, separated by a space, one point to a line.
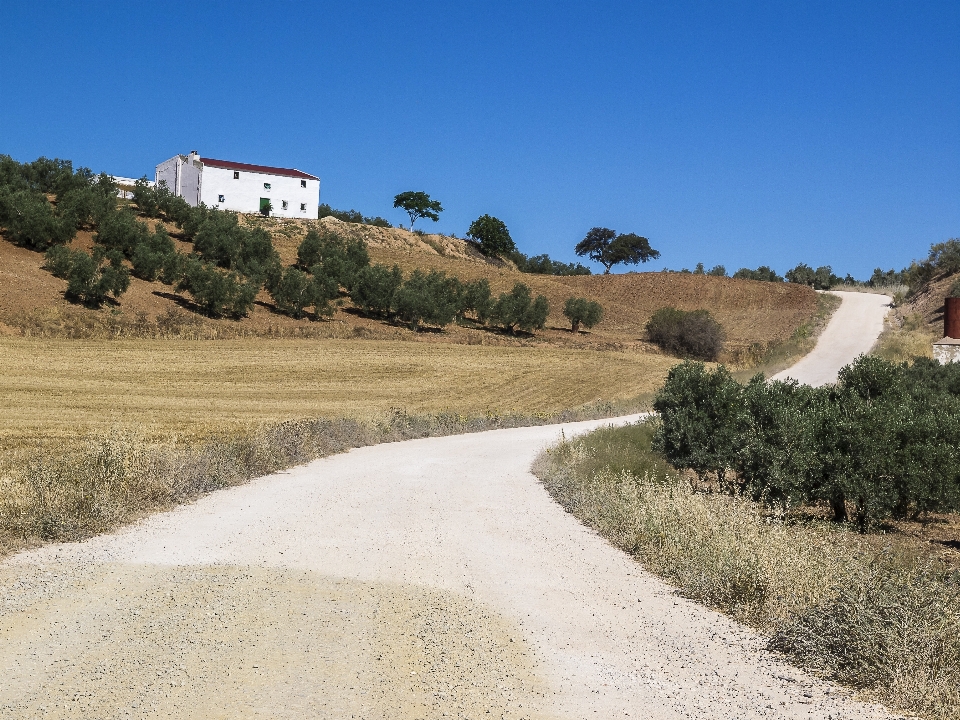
243 194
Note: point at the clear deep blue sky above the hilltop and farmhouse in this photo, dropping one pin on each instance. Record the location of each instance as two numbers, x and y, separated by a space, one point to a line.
740 133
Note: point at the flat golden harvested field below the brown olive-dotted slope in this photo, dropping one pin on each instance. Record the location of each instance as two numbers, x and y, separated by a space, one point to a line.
64 388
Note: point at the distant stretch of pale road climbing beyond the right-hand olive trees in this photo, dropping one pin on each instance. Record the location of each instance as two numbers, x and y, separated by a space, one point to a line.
853 330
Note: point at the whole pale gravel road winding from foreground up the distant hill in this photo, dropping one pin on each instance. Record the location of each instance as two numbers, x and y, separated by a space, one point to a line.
425 579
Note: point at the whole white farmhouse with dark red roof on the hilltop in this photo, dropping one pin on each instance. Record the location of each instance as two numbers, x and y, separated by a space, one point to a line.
241 187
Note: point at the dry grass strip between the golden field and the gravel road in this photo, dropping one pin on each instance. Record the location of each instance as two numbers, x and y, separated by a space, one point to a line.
94 485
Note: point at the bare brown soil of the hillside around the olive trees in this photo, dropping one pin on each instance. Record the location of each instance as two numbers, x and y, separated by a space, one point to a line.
754 314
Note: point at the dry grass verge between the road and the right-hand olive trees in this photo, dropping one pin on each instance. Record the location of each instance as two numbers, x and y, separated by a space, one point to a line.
879 616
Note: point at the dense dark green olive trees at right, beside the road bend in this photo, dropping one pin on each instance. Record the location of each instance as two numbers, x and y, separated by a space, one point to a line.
883 442
